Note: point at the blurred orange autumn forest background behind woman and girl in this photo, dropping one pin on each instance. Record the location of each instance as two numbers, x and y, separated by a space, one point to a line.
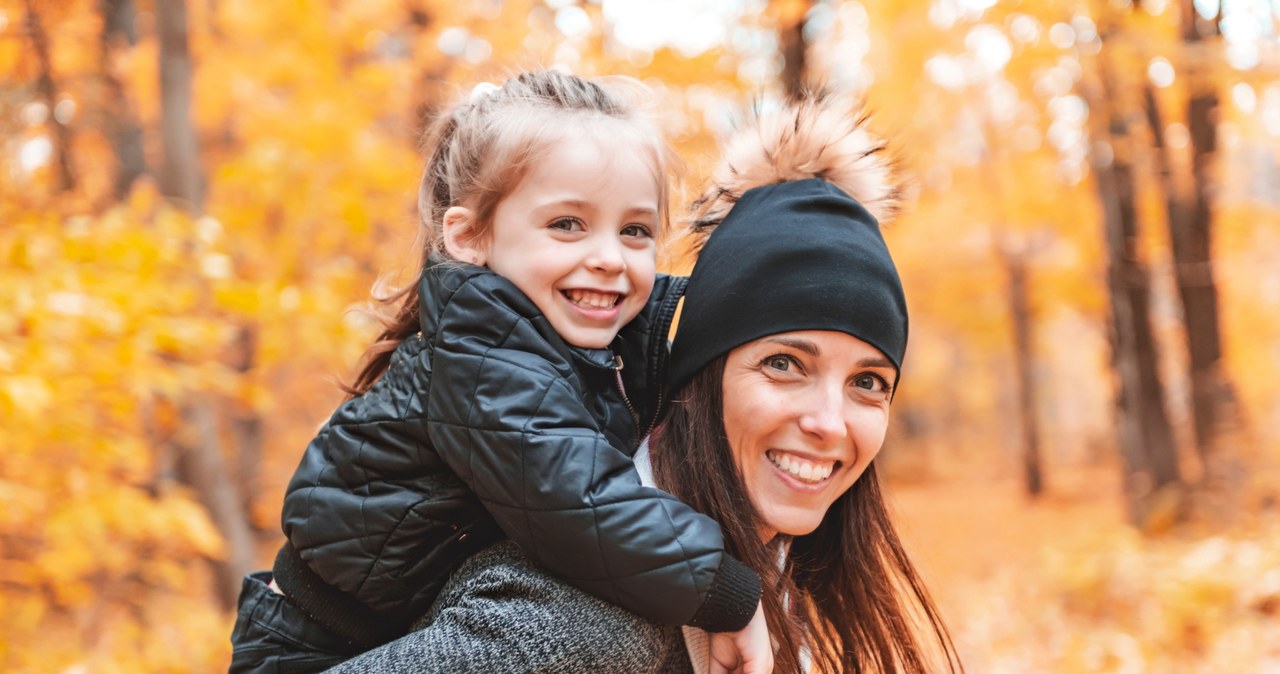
195 195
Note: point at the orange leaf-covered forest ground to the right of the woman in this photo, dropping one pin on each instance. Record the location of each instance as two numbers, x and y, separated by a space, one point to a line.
1062 586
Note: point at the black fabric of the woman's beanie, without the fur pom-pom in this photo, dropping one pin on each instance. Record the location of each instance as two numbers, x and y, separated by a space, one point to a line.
790 256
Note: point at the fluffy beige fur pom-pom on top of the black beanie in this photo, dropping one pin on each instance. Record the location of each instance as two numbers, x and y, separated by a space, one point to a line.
819 136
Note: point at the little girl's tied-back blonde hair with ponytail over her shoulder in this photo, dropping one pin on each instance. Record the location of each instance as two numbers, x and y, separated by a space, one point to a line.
481 149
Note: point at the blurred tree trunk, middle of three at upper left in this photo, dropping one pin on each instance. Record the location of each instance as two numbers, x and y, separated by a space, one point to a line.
120 125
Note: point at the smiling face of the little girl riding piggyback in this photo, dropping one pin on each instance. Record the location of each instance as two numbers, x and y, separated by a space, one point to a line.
578 237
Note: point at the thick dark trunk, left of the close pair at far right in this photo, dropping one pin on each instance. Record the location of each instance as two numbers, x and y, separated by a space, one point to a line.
1145 433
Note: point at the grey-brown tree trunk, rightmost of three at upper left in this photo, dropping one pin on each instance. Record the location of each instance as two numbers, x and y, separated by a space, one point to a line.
180 178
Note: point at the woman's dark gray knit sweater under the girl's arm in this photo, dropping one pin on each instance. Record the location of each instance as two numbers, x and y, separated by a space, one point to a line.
500 613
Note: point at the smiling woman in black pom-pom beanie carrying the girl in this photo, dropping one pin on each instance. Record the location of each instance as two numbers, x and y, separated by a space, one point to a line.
784 368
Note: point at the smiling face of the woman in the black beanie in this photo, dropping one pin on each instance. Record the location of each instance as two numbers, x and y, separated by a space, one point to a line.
806 414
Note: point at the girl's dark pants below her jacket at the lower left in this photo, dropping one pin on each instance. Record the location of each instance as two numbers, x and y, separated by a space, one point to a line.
272 636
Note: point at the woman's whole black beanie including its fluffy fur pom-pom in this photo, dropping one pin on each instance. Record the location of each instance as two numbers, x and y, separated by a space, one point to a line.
789 240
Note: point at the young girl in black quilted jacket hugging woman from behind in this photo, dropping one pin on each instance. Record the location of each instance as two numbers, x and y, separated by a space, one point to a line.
508 397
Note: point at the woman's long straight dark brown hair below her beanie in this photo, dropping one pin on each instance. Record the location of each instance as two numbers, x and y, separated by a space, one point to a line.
848 592
